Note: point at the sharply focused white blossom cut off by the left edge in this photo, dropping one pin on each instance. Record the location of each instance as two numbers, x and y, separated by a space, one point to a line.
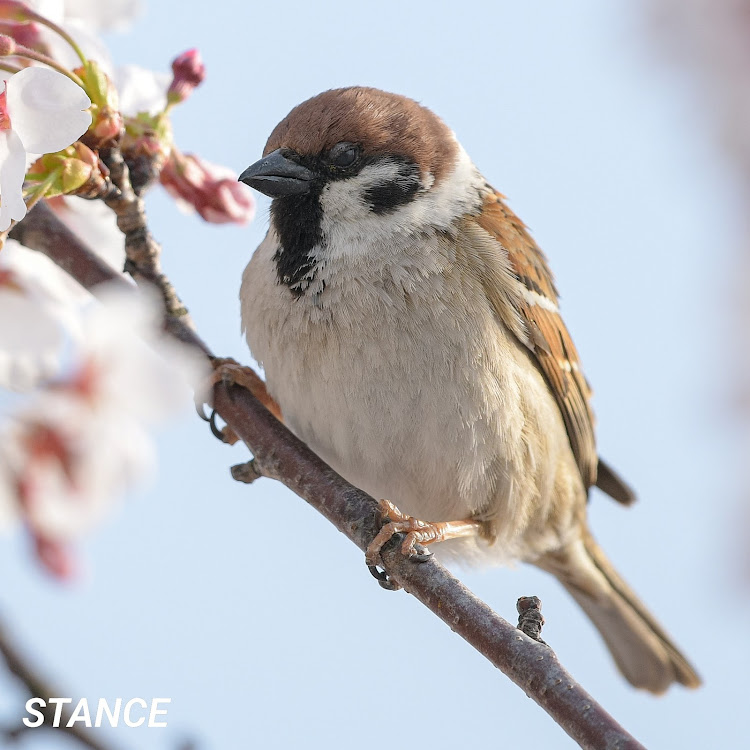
41 111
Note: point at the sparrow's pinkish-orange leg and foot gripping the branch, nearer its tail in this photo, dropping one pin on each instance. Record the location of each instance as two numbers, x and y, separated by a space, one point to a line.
416 532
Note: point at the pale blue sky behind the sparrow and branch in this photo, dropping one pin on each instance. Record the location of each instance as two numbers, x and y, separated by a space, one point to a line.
249 610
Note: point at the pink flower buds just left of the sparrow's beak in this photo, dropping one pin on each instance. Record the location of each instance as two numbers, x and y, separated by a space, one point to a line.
211 190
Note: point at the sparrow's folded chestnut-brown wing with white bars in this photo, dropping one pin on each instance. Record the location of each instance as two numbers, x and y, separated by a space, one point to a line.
549 338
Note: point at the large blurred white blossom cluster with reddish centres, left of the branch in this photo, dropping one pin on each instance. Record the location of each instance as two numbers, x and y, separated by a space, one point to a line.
74 447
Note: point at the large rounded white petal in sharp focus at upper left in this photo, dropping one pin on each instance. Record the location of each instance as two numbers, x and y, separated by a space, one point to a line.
47 110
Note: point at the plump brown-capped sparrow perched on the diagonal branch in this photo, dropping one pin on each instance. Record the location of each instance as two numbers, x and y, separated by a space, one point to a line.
409 330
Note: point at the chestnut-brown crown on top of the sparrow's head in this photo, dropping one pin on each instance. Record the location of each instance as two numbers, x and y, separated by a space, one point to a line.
381 123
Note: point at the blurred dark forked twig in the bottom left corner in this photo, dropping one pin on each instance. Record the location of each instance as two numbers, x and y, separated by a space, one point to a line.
38 687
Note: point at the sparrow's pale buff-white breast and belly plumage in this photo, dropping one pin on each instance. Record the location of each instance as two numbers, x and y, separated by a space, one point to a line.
395 369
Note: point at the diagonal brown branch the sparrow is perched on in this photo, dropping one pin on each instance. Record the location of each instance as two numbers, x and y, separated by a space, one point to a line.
280 455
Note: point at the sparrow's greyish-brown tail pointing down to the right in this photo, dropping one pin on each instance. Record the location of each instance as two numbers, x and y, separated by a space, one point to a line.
643 651
